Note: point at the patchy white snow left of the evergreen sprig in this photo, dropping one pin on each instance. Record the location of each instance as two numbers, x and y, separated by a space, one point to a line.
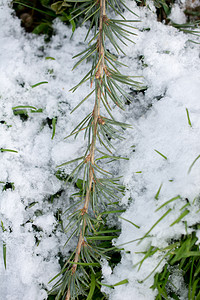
33 236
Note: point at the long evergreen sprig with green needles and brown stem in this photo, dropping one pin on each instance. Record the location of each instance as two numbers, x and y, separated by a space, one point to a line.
99 187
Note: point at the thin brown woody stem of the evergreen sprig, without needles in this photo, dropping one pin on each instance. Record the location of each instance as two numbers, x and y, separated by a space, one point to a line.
96 116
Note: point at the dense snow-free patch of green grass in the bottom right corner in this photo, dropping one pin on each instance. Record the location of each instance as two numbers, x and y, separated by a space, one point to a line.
184 257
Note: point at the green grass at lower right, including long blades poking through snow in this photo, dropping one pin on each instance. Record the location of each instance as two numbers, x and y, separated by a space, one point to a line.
181 256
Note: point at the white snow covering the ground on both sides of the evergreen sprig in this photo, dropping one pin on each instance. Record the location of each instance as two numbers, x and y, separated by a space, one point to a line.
169 64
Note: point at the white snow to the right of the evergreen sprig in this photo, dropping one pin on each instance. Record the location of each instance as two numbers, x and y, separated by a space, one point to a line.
172 74
